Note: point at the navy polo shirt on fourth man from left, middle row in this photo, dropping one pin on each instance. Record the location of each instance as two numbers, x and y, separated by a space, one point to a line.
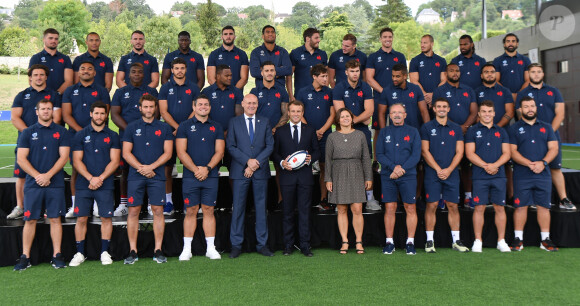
179 98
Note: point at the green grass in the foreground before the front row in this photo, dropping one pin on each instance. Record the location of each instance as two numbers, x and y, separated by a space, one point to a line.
529 277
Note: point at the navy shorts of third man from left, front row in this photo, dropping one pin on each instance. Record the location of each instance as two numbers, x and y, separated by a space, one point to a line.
136 191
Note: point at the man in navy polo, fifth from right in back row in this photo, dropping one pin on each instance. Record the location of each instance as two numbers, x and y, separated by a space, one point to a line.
339 58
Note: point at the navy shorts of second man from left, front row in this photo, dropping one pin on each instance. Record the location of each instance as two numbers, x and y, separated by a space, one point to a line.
84 202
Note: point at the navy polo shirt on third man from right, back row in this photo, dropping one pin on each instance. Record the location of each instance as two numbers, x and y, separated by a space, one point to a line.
429 69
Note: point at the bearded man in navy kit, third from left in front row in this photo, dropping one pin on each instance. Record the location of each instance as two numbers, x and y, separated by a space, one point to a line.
147 146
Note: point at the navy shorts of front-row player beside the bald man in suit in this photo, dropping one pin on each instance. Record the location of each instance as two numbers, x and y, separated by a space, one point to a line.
196 192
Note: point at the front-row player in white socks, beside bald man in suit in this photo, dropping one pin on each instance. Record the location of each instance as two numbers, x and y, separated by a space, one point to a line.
200 146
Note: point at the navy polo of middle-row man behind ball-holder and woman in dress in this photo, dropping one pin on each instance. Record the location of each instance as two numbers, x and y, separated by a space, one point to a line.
317 105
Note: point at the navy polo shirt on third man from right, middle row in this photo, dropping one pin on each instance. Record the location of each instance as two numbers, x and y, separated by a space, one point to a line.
460 100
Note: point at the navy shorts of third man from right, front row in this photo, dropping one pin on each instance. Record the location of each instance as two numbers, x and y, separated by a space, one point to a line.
434 186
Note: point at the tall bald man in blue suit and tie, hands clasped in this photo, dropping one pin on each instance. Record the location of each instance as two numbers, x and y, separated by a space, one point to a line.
250 144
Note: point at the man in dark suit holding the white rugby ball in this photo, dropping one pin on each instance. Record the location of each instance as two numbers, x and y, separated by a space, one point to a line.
296 185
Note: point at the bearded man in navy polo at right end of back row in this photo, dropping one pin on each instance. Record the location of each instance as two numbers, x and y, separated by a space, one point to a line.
512 67
